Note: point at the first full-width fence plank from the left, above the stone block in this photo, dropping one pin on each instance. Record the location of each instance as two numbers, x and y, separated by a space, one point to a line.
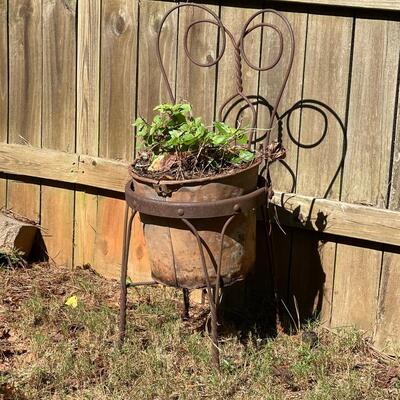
25 95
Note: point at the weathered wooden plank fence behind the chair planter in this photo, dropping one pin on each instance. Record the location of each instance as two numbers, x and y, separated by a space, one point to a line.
75 74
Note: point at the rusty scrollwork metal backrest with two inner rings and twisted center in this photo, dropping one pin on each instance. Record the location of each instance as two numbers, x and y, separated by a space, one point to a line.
240 56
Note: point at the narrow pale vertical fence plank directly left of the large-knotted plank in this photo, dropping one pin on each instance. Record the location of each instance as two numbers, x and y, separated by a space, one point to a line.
87 132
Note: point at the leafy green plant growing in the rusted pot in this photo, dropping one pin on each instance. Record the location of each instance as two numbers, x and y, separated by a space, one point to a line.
175 140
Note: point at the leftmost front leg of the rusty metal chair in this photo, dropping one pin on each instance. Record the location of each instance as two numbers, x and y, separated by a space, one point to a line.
124 272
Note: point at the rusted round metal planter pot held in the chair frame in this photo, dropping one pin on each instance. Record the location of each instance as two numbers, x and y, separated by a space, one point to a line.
173 249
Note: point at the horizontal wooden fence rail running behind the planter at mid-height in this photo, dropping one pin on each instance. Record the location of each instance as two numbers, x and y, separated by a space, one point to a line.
294 210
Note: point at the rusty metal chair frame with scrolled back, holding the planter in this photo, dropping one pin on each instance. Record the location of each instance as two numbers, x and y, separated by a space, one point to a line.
229 208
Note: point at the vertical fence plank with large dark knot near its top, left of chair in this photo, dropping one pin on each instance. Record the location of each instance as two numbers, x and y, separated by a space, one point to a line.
117 112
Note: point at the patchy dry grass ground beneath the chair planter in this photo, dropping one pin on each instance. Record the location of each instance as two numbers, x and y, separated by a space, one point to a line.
52 351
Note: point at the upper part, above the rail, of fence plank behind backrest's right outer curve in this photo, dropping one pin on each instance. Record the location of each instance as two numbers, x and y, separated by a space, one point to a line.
283 173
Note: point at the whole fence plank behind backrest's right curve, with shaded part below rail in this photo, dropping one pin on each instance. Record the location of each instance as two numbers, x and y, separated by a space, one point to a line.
283 174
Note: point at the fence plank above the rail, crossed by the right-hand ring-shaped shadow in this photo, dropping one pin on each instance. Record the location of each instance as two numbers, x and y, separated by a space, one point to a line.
324 108
